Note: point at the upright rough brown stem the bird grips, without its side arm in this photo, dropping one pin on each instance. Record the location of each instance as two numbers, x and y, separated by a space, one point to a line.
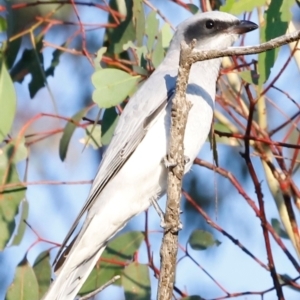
179 115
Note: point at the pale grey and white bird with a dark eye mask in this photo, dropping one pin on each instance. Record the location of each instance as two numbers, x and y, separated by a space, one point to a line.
132 173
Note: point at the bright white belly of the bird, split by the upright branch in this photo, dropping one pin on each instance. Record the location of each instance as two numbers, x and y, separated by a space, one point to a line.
144 175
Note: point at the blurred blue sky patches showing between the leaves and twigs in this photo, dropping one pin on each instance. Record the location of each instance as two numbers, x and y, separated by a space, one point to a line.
54 208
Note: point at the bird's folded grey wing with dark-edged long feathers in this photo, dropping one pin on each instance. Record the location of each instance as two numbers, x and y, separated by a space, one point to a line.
139 113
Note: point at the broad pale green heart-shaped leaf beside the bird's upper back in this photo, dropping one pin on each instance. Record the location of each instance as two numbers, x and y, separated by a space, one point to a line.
112 86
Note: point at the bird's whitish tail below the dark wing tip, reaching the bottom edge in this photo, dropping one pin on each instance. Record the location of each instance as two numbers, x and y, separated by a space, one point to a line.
71 277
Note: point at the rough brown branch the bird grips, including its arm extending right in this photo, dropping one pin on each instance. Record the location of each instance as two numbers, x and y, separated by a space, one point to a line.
180 109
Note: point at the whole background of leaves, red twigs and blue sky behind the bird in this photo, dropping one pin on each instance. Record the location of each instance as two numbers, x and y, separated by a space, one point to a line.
67 70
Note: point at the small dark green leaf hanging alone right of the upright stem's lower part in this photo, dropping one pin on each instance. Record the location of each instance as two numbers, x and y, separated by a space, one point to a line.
201 240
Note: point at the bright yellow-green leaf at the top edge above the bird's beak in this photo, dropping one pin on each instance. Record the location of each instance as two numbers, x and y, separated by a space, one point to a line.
238 7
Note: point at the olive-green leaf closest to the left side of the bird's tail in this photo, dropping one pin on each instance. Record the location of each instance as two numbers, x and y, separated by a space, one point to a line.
42 270
